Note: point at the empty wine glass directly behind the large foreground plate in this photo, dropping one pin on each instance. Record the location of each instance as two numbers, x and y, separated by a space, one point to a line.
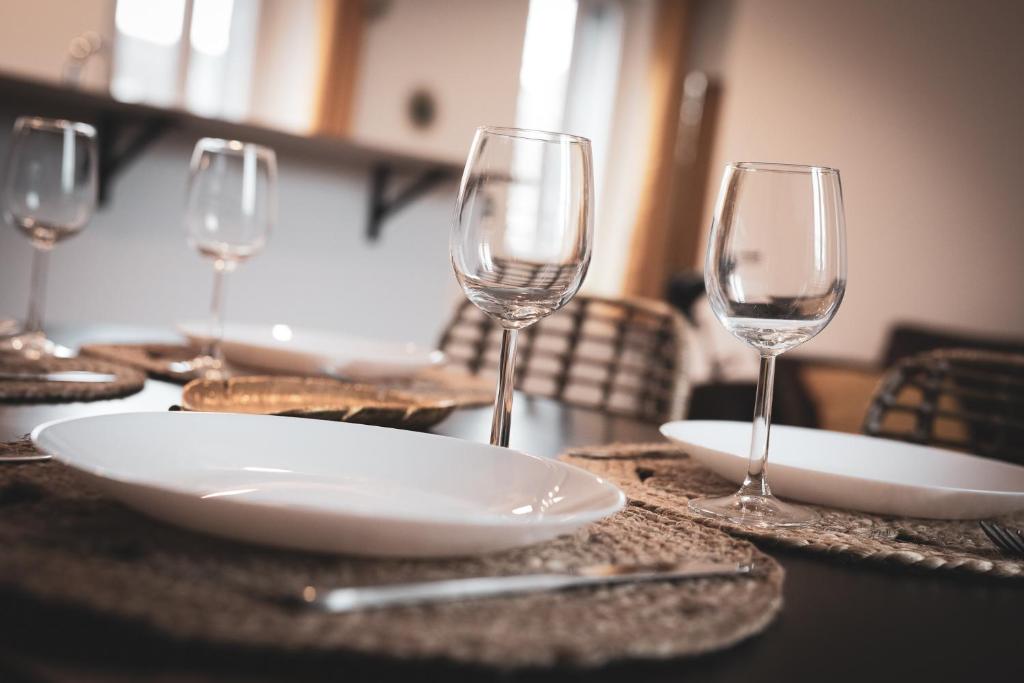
522 238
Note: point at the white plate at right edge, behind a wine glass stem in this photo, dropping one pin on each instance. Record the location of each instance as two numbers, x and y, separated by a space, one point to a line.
859 473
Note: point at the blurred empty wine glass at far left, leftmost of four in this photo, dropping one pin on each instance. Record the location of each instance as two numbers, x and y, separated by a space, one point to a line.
50 195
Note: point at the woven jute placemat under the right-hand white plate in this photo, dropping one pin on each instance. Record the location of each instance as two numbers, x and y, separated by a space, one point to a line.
664 478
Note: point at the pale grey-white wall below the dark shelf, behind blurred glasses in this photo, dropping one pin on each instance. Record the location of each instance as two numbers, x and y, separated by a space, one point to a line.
132 264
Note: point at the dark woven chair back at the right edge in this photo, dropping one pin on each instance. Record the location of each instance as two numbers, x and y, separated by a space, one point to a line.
958 399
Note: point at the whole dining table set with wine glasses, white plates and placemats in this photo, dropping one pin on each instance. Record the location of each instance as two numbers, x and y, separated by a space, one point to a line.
227 501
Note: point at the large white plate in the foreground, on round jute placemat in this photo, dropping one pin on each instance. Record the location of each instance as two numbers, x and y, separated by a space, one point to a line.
329 487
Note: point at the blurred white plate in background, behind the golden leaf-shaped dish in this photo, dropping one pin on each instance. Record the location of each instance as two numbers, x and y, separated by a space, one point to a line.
316 353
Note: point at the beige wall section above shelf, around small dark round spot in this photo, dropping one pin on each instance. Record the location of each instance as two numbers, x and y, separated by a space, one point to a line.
466 53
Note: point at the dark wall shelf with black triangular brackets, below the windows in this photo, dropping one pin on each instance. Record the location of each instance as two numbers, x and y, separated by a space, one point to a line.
126 131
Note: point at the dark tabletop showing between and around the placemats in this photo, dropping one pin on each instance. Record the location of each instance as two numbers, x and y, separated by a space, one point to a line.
841 621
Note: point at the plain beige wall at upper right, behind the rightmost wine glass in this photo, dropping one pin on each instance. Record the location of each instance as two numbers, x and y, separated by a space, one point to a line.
921 105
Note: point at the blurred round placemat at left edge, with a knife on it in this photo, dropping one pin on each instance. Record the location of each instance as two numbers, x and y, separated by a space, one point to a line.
129 380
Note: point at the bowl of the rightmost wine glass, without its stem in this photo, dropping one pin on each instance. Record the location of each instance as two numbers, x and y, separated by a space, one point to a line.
775 275
